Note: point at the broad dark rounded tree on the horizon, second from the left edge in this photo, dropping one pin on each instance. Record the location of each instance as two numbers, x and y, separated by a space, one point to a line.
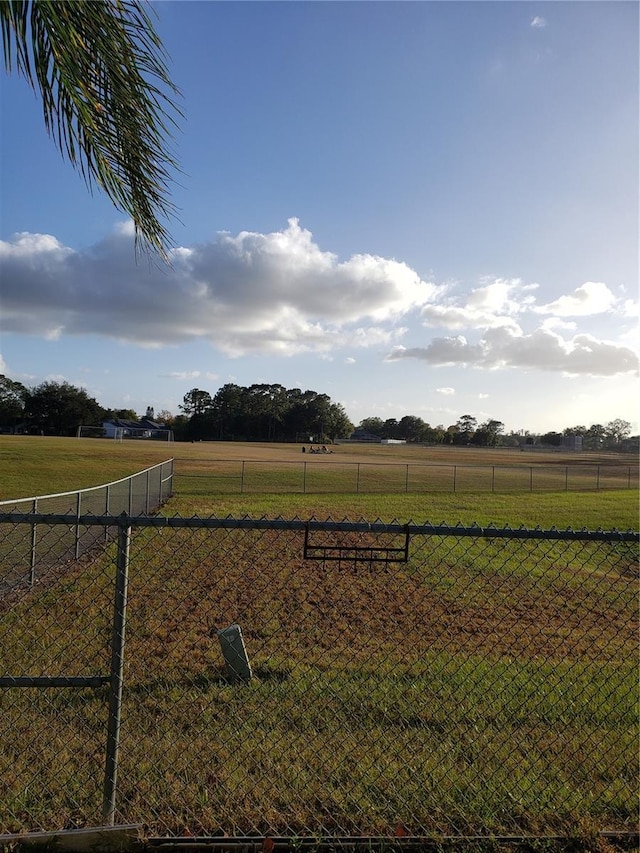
59 408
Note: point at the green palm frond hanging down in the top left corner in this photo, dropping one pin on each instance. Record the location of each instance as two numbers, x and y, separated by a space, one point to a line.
107 98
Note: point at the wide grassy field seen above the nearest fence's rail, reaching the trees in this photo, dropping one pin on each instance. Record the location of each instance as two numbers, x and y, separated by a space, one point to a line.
210 480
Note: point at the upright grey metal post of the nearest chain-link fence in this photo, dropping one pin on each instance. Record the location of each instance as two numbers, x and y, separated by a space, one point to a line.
117 675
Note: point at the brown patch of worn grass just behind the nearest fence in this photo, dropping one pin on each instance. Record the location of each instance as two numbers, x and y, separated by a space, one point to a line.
309 608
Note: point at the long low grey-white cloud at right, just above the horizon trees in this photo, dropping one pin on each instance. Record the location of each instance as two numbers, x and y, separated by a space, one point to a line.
541 350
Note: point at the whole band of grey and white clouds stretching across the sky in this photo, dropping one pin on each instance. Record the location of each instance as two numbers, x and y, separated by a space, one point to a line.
280 294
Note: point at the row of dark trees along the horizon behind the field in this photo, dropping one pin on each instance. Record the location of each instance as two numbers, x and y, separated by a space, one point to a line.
264 412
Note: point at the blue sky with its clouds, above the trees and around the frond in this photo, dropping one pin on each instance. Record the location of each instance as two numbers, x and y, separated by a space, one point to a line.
425 208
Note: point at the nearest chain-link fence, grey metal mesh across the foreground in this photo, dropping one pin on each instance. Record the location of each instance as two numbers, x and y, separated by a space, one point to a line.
399 679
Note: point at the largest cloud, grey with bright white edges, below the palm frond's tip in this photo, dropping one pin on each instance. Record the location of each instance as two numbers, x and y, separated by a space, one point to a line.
275 293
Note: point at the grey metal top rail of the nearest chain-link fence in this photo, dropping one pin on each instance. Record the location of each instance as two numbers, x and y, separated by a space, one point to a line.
297 524
